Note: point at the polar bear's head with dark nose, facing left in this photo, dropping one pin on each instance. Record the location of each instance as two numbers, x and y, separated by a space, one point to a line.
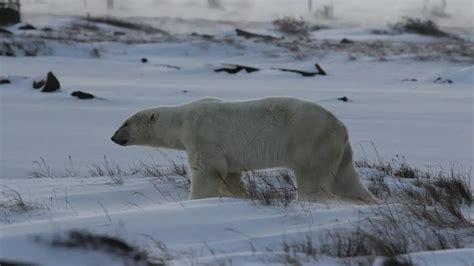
139 129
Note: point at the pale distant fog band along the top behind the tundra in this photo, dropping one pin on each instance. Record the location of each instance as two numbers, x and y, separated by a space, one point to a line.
457 13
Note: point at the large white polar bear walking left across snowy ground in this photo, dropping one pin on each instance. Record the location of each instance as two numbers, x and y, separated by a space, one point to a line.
223 139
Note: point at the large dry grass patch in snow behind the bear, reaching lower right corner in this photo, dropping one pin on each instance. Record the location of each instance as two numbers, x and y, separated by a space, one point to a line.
425 217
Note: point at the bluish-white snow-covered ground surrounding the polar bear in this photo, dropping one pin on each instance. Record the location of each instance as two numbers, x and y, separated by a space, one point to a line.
394 104
